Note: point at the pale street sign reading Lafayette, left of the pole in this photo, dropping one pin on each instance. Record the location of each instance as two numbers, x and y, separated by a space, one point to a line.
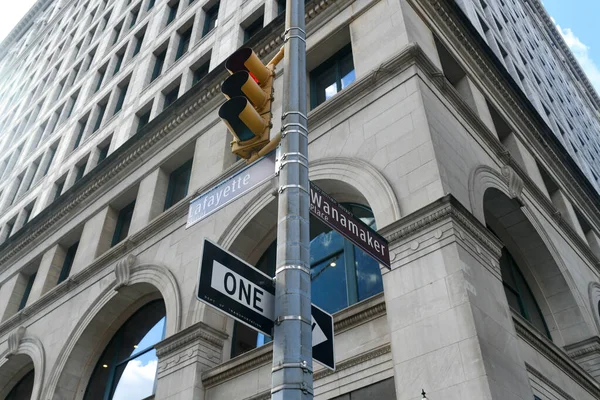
230 189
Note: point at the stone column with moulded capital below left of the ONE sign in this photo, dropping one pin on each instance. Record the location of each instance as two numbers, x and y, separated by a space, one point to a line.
183 357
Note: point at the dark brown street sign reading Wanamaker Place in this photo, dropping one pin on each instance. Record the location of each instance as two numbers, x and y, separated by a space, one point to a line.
330 212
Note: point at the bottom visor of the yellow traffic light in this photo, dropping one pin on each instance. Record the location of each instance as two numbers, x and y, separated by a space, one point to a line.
242 119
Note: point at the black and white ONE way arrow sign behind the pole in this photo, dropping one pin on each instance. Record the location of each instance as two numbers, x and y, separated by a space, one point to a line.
248 295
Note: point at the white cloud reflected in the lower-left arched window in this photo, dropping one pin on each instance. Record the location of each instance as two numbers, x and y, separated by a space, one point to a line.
137 381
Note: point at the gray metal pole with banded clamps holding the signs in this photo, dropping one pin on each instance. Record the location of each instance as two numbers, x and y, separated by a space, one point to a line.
291 376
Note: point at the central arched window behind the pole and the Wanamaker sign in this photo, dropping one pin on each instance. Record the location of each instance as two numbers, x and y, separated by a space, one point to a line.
342 274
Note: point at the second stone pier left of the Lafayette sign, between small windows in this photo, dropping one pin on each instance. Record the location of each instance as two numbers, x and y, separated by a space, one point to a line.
96 238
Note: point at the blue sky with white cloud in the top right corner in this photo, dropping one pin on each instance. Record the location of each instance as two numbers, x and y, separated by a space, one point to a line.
579 23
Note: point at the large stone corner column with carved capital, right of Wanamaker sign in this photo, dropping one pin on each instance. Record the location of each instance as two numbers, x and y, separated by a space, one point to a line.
450 326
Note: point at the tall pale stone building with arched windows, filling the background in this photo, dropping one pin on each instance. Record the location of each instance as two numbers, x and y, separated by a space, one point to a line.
463 131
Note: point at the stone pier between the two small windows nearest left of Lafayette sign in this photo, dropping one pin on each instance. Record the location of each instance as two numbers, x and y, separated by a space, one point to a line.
150 200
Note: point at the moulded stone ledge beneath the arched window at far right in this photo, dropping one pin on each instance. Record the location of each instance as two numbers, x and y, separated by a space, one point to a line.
558 357
